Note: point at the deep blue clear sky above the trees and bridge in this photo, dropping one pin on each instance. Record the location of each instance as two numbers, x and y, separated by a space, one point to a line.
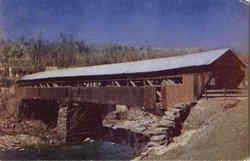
159 23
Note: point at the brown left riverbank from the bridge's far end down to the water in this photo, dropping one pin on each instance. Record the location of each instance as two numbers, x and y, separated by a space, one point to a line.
18 135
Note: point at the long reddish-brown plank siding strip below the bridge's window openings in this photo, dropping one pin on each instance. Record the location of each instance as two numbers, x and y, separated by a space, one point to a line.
131 96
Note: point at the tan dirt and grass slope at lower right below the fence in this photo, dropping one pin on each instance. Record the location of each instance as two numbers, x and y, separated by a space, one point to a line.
216 129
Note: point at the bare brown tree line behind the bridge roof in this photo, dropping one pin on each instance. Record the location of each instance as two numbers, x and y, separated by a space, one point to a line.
35 54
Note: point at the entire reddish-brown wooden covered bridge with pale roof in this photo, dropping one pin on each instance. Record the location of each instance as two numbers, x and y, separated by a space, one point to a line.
152 84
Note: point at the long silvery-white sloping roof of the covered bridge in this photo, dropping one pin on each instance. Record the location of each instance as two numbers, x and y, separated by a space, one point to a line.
152 65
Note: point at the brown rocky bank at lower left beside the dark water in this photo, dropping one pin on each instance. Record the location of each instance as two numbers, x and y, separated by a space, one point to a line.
19 136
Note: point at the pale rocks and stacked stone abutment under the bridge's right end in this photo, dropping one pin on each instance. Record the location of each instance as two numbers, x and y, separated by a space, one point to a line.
159 130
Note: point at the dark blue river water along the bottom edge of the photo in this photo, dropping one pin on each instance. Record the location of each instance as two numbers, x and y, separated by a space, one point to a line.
84 151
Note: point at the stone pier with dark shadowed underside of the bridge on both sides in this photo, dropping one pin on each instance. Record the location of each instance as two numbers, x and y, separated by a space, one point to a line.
74 121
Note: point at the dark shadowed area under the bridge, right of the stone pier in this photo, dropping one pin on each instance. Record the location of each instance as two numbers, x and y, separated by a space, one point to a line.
85 120
